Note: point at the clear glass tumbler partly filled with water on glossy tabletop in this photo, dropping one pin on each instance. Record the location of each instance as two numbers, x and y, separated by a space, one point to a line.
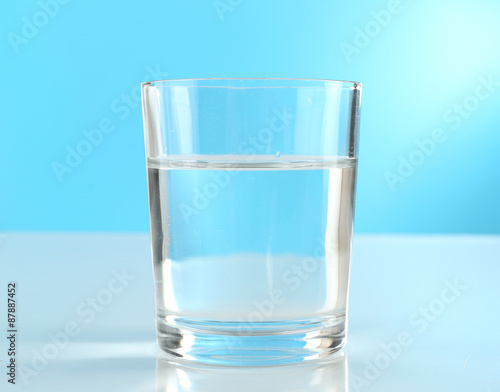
251 196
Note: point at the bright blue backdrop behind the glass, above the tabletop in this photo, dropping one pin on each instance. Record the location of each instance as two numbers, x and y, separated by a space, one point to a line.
83 64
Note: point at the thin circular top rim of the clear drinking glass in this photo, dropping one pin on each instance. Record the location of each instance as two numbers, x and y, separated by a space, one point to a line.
184 82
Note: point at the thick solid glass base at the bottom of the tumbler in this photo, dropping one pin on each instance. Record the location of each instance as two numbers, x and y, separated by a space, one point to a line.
255 344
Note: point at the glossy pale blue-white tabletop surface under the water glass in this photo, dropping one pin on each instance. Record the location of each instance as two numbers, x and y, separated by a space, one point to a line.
424 316
